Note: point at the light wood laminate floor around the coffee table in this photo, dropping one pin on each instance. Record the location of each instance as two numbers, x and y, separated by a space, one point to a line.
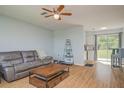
98 76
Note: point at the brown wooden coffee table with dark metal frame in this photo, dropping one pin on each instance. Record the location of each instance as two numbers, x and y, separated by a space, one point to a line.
49 75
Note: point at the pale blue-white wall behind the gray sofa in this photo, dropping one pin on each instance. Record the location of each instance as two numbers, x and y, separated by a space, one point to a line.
18 35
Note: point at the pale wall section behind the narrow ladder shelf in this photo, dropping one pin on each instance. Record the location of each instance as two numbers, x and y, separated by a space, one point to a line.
77 36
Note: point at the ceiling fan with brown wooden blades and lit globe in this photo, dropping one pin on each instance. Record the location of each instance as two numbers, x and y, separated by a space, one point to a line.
55 12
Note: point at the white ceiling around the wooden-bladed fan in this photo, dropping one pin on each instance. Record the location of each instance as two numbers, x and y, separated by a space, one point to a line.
91 17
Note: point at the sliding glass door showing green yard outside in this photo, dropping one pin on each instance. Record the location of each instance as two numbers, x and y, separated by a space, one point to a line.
105 43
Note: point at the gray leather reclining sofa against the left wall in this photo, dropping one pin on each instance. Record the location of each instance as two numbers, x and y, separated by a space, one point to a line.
17 64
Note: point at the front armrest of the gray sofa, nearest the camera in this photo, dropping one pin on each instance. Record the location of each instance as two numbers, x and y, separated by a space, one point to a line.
9 73
